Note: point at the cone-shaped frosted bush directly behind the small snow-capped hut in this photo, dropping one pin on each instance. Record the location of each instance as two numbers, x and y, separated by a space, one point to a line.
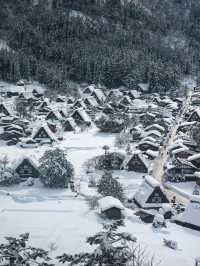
108 186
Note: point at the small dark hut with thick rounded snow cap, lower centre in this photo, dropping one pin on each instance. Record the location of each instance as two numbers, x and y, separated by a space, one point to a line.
111 208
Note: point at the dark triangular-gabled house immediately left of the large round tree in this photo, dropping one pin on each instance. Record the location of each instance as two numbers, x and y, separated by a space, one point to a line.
26 167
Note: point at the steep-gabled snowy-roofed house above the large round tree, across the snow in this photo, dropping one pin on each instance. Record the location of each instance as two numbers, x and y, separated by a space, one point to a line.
43 133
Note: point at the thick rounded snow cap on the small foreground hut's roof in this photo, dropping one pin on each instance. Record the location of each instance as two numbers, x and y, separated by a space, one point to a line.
109 202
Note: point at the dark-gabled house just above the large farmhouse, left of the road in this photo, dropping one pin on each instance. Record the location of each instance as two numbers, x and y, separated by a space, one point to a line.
136 162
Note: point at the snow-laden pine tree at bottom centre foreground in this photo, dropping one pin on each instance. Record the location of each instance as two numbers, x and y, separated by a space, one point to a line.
113 249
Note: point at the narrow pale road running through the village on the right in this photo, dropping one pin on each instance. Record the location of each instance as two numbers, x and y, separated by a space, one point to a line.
158 168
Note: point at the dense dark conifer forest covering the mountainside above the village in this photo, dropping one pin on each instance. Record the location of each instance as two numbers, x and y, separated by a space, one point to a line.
112 42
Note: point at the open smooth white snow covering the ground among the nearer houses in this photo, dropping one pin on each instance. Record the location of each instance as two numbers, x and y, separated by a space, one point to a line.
60 222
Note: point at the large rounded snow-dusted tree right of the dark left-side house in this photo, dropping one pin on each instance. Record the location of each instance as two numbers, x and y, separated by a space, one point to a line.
56 170
